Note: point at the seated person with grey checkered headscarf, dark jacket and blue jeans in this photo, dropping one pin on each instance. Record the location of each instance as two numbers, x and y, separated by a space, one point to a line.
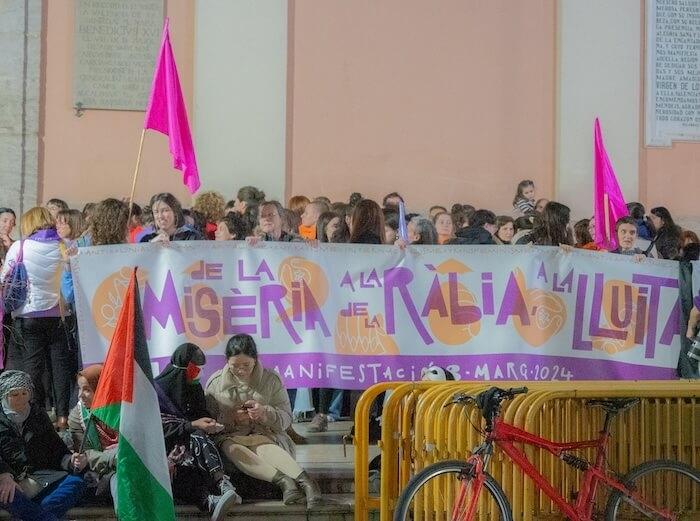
38 474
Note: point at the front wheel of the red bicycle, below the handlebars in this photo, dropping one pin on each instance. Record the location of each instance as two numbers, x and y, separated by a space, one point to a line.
442 492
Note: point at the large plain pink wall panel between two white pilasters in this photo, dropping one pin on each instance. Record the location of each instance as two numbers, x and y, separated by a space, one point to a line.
445 102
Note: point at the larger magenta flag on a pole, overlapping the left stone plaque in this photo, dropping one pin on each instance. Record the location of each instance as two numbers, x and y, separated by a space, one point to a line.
166 113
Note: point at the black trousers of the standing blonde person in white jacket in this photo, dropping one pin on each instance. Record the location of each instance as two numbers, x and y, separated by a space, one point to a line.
38 343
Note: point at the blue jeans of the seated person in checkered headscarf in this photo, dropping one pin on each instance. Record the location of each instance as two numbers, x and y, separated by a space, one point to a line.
50 505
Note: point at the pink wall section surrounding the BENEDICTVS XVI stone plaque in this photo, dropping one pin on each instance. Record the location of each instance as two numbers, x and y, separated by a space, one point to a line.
93 157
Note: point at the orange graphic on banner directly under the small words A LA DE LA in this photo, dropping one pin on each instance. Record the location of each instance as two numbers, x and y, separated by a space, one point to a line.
363 335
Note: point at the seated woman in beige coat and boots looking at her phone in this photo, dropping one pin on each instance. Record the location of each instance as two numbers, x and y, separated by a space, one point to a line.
253 406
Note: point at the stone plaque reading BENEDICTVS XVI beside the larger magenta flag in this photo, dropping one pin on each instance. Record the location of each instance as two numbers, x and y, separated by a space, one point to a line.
116 45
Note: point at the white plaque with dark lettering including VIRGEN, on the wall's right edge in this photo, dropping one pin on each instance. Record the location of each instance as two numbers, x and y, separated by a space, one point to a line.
672 71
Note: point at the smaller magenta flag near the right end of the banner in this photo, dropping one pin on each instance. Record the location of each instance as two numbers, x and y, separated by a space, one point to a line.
605 183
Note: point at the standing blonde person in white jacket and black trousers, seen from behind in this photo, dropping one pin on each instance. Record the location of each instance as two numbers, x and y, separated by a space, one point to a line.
40 339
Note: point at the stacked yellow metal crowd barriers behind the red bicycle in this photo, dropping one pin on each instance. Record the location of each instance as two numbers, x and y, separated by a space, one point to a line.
418 430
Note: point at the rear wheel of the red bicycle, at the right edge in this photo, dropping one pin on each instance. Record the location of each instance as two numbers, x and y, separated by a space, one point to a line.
665 484
